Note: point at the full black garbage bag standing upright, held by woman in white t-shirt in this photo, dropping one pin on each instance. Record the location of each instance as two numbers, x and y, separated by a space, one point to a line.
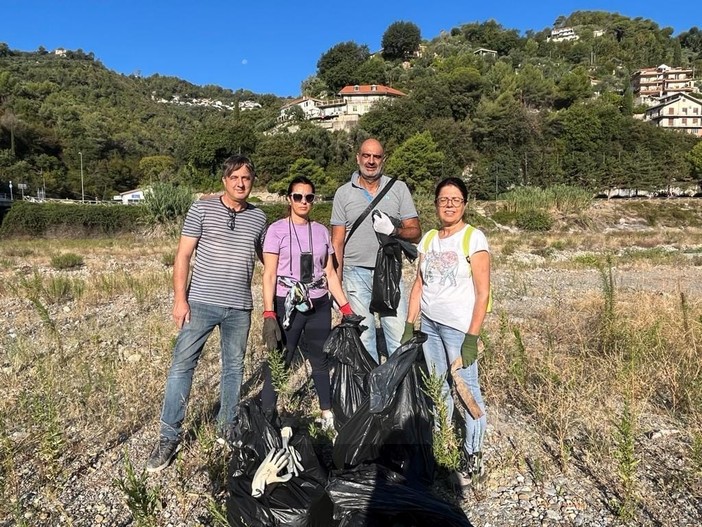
393 426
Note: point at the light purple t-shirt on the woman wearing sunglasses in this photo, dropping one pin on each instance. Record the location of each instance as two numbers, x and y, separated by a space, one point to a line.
287 240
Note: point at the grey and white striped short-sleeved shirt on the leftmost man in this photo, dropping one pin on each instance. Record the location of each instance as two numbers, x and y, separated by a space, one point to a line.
224 258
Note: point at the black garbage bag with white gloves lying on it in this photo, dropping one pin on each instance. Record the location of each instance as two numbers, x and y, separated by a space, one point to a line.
300 502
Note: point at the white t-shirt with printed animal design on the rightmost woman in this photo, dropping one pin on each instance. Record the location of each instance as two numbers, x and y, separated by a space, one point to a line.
448 295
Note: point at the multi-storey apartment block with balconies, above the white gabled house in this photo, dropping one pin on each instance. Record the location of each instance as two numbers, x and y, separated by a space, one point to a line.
651 84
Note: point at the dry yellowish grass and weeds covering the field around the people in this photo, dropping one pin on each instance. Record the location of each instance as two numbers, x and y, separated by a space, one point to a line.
86 352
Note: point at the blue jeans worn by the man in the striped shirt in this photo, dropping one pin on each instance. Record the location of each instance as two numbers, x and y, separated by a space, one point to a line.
234 327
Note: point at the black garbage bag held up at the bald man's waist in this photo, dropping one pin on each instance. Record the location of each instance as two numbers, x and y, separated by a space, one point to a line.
387 277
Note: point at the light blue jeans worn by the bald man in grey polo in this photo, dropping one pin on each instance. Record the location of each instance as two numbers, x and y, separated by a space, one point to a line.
358 286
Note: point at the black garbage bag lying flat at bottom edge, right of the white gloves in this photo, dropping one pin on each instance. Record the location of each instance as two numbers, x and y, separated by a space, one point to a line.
372 495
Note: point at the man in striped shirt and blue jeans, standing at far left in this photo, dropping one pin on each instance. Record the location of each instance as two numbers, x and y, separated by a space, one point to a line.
228 235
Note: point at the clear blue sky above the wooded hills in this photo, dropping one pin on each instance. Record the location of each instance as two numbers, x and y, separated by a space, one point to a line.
266 46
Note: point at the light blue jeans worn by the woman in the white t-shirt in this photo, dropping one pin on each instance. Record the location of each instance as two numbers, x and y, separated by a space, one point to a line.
443 346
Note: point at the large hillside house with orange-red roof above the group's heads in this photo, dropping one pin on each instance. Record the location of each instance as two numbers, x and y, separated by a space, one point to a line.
344 111
